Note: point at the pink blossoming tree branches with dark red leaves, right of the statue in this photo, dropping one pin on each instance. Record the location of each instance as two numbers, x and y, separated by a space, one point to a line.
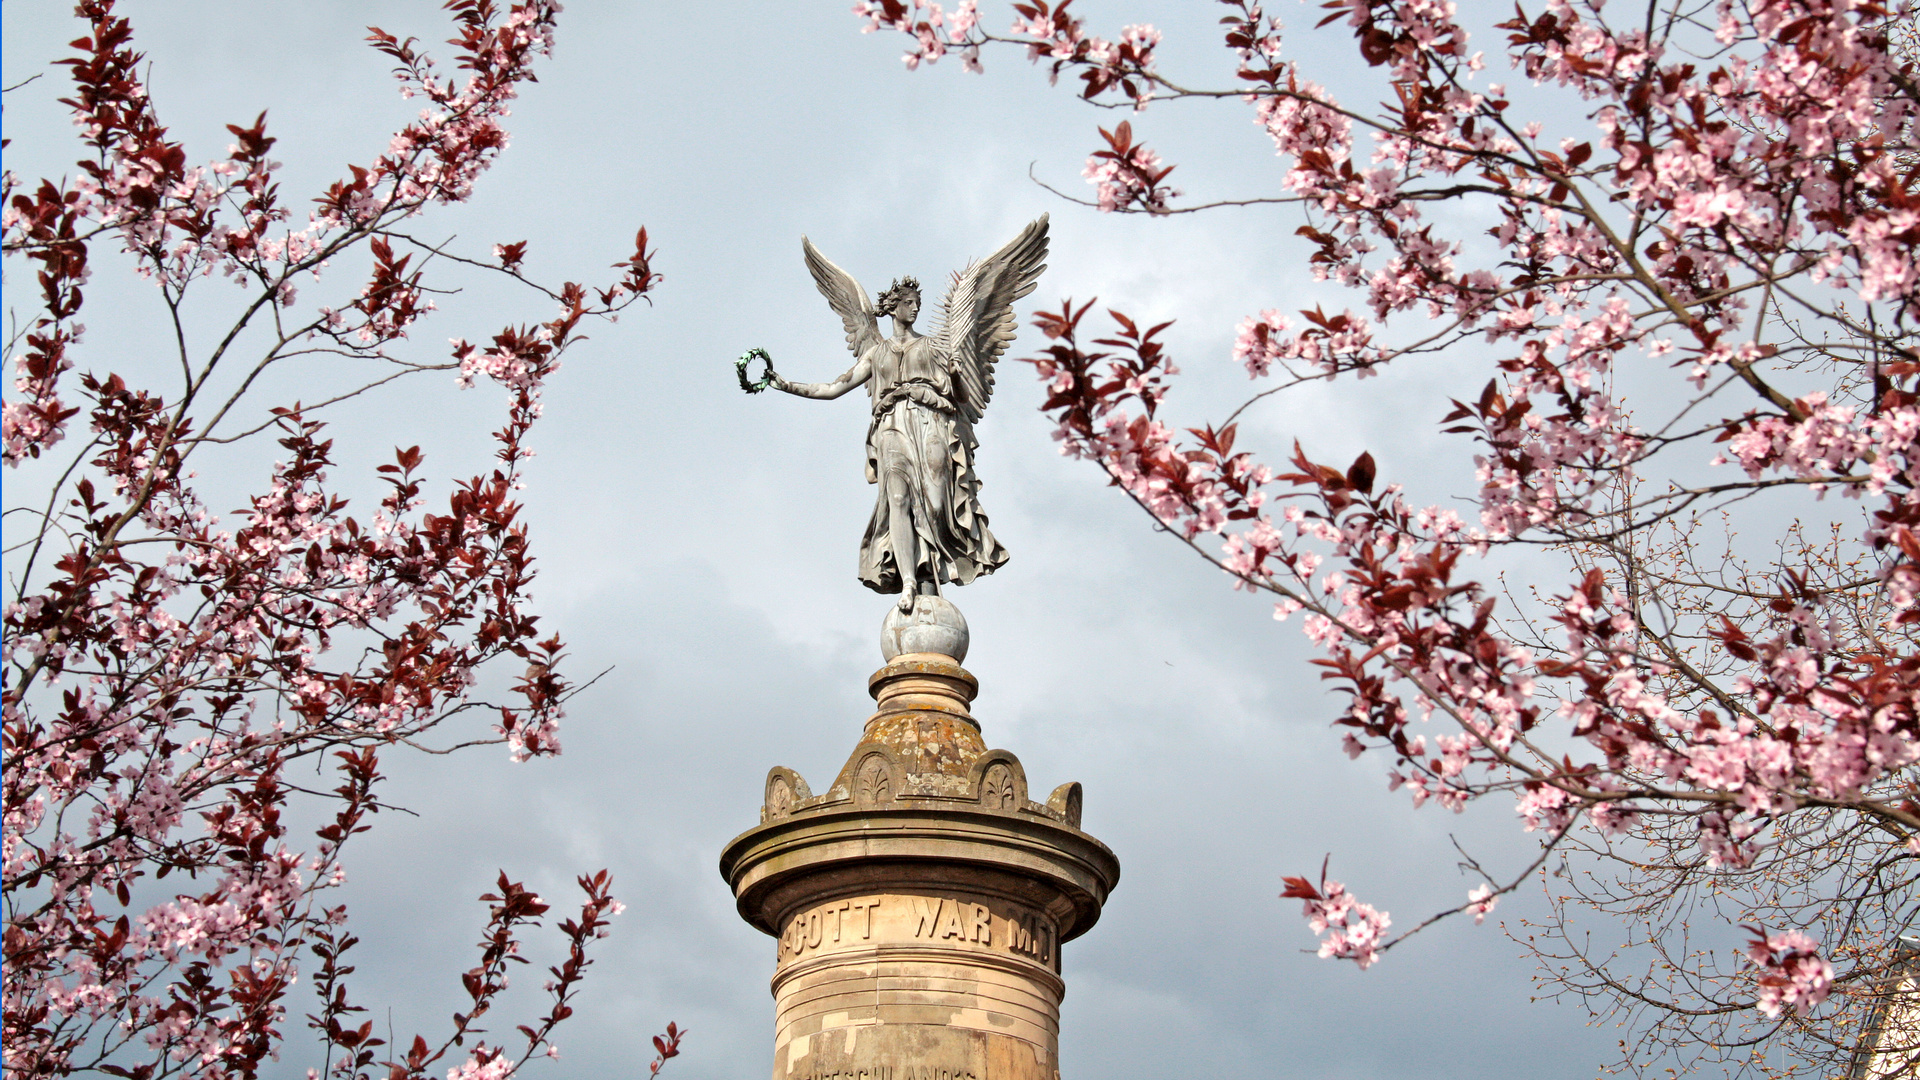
1683 251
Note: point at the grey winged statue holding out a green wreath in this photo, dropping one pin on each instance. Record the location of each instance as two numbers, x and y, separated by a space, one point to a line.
928 393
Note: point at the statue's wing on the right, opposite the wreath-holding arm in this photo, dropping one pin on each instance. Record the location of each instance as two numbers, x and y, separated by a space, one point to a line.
978 316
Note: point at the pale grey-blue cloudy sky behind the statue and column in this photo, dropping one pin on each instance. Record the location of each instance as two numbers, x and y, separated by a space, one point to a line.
700 545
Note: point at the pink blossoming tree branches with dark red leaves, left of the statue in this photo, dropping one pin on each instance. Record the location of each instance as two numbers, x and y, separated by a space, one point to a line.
168 670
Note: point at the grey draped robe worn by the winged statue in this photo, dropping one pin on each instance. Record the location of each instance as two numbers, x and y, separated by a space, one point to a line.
921 435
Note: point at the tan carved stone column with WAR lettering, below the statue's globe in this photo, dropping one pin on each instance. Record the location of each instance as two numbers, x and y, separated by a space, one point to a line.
923 900
